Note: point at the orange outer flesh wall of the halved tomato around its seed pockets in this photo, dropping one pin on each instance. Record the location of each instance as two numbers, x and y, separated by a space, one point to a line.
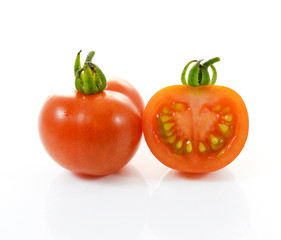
196 97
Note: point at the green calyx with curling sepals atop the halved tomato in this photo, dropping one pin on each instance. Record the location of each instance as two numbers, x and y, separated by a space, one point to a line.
198 74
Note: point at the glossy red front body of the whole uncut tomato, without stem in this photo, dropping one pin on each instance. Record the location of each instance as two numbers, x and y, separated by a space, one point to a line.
90 134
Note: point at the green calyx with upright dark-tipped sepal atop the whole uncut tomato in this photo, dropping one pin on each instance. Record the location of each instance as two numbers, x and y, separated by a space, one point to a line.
89 79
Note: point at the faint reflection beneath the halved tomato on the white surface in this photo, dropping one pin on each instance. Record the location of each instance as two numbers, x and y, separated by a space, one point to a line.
204 206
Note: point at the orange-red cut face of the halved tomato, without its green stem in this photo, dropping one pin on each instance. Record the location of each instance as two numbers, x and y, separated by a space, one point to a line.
196 129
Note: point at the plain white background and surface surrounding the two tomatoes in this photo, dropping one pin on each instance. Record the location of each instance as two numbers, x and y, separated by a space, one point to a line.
147 43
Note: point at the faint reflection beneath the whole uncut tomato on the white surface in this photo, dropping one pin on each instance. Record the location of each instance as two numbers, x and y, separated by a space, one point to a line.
109 207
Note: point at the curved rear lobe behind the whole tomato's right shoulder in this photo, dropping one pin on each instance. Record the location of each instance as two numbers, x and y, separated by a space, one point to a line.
120 85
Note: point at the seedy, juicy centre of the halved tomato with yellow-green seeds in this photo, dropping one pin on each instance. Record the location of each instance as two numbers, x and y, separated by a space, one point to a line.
214 126
